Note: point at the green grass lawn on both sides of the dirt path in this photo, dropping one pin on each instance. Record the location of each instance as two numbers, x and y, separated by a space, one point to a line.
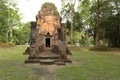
87 65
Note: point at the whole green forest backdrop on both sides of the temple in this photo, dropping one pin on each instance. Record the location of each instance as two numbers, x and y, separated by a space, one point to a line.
94 23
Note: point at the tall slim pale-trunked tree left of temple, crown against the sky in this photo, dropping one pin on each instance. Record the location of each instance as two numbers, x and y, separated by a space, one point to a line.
13 18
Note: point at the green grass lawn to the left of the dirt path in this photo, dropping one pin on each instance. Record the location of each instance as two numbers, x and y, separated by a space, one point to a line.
12 65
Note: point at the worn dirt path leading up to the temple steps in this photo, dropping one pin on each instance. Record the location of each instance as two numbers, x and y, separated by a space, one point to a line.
44 72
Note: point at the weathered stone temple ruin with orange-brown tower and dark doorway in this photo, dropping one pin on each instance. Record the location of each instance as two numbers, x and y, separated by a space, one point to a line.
47 38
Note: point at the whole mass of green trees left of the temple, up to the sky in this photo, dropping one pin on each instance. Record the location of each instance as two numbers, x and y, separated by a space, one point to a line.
12 30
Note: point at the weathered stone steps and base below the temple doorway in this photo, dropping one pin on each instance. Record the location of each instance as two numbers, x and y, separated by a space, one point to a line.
47 57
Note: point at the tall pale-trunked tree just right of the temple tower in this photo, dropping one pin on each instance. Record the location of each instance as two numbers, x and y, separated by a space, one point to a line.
73 21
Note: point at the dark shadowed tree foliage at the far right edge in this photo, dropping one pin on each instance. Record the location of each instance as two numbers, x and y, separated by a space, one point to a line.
111 24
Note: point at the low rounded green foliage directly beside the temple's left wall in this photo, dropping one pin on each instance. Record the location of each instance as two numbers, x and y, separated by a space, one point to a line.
22 35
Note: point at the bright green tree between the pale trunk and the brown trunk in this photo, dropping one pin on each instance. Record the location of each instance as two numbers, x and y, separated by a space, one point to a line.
84 11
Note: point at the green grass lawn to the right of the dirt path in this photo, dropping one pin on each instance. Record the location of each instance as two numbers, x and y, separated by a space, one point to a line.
88 65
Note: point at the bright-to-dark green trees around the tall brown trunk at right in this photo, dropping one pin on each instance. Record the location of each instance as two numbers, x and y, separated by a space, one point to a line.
100 21
